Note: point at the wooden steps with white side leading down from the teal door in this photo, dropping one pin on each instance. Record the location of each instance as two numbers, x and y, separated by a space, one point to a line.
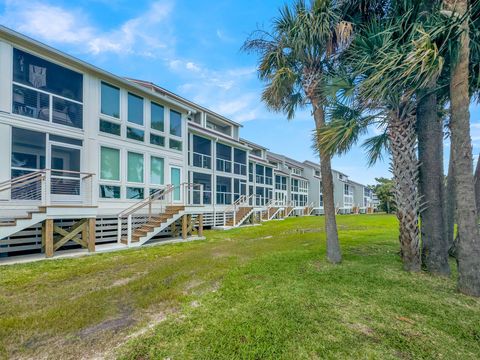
155 224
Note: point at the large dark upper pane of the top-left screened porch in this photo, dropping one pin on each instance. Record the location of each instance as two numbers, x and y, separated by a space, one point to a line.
36 72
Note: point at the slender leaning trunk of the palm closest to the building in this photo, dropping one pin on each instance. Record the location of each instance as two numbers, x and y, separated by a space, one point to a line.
334 254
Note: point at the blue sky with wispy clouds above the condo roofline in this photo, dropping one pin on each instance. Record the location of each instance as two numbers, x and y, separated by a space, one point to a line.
191 48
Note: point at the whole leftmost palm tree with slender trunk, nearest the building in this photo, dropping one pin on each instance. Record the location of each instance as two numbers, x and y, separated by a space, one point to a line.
292 60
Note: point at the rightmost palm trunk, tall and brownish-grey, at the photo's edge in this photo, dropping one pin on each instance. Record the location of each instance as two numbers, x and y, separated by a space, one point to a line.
468 247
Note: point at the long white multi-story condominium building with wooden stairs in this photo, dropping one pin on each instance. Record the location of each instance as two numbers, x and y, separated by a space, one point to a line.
92 159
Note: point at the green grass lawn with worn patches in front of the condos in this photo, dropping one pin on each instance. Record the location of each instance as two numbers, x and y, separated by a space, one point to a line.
258 292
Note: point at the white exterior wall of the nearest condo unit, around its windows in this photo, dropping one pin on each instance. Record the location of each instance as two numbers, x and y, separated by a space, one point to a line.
90 135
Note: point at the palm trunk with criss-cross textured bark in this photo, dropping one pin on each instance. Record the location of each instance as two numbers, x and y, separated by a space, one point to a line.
401 134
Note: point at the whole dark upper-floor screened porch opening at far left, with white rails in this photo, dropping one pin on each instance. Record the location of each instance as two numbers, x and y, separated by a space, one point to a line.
46 91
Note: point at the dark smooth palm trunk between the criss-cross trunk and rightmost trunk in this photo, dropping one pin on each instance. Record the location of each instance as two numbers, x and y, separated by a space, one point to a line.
431 183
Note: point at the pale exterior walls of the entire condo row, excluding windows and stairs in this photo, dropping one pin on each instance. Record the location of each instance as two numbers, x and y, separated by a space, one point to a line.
93 139
